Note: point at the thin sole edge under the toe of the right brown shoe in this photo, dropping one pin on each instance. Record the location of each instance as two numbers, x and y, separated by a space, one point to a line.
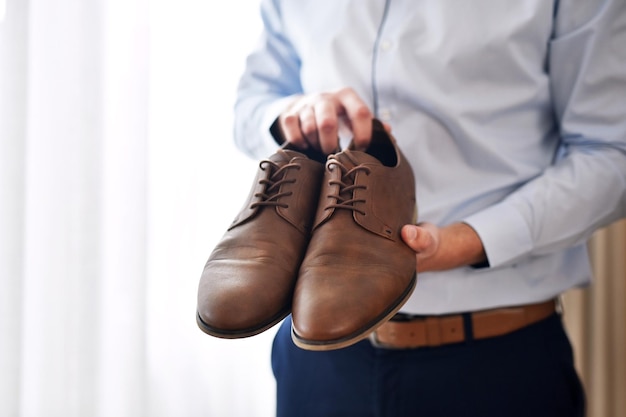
357 336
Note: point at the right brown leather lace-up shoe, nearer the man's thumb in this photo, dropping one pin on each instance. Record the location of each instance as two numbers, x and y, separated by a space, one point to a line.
357 271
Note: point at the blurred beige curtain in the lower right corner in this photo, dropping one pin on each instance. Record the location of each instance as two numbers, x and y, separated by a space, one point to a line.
596 321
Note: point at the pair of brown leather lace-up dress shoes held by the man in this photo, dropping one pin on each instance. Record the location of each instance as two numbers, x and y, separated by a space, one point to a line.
321 241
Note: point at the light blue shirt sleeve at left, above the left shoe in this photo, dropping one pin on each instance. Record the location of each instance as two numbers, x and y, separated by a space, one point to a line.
270 80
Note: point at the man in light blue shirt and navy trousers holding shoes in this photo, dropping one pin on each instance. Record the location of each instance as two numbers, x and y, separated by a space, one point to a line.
513 117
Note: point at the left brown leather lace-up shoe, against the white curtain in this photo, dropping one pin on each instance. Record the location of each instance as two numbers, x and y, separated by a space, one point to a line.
247 283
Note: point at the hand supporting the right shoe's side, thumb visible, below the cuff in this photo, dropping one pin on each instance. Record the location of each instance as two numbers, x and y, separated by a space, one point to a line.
439 249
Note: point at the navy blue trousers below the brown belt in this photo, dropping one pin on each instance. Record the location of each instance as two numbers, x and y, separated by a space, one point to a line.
527 373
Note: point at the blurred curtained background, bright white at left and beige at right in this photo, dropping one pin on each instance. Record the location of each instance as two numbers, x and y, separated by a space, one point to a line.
118 175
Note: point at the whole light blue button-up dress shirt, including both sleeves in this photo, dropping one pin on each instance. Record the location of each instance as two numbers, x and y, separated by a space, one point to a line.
512 114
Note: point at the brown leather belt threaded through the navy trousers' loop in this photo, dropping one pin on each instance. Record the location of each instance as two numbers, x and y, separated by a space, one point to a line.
441 330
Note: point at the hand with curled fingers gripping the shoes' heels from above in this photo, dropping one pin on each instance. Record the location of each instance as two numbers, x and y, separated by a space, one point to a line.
313 120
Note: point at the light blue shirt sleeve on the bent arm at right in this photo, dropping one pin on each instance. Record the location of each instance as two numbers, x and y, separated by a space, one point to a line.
585 188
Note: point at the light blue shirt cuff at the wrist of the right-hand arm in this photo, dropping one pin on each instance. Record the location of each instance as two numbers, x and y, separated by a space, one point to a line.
503 232
